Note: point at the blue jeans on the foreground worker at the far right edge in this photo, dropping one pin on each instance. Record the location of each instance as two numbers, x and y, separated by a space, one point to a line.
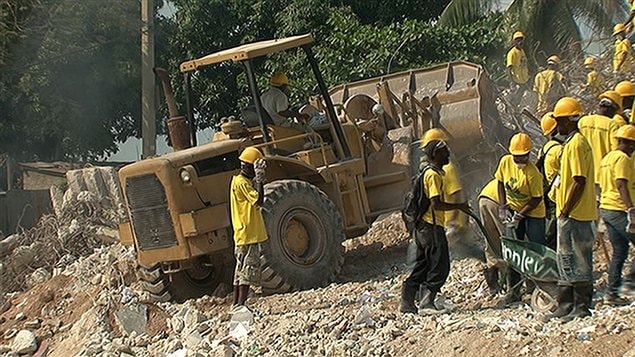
616 228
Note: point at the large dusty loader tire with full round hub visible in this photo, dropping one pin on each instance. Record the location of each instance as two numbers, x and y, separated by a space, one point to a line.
305 230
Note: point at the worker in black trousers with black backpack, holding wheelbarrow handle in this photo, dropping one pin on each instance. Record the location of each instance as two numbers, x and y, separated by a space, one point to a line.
432 265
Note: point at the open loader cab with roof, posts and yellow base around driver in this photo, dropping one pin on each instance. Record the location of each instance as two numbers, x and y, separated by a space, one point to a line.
318 145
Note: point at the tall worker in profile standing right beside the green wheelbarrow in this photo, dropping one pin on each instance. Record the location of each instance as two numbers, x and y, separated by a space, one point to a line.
577 211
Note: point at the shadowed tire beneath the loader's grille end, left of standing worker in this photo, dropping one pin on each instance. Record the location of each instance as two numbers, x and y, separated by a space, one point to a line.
183 285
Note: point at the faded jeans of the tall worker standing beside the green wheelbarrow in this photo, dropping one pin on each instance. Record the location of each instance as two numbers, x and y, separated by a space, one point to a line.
575 250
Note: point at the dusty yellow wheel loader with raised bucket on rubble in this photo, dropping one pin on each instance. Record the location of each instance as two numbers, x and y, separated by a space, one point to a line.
323 184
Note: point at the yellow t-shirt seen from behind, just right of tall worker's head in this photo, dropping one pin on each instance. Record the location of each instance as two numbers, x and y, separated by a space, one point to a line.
600 134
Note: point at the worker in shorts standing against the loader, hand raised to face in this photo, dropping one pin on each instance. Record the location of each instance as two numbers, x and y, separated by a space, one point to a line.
246 197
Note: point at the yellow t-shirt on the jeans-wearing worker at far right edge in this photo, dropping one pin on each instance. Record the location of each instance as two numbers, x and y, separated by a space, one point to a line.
615 165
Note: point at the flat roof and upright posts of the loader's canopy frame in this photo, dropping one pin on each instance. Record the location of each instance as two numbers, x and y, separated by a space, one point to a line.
245 54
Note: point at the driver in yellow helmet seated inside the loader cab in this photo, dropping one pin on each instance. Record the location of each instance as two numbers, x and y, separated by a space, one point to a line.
276 102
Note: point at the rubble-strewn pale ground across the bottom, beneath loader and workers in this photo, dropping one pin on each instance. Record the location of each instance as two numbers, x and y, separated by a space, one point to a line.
78 312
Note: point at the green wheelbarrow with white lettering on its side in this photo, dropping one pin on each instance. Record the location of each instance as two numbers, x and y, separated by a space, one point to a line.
532 261
